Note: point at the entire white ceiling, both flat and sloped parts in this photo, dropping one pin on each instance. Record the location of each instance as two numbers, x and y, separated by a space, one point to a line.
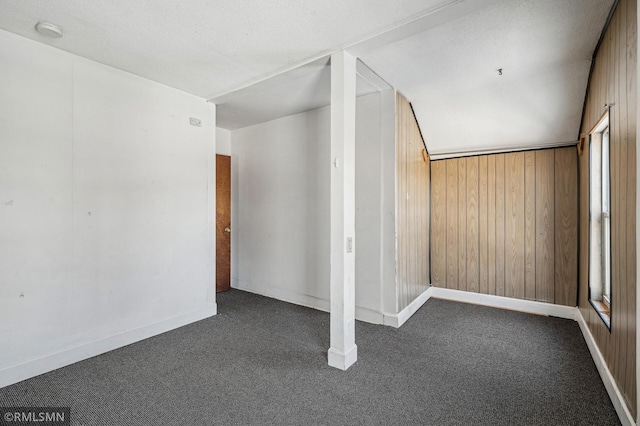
261 60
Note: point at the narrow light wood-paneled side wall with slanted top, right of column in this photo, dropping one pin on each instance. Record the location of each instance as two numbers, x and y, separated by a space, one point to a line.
412 201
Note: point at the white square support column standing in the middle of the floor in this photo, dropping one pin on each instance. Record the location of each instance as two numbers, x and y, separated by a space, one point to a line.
343 352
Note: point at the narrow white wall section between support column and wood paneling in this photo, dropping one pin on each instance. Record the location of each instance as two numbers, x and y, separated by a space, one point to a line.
375 205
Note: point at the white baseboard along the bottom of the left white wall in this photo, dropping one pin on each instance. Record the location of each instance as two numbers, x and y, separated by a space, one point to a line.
25 370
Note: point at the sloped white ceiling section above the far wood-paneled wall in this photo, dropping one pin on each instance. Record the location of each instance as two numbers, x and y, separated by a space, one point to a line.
449 74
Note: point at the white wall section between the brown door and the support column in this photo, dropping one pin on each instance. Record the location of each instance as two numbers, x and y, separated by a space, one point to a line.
280 205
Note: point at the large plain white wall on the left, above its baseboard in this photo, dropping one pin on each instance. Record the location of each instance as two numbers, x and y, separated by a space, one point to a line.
106 209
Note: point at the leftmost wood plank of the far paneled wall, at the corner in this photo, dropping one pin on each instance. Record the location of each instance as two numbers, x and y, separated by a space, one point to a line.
439 222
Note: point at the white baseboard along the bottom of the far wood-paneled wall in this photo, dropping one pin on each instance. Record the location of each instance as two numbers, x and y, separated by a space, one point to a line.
539 308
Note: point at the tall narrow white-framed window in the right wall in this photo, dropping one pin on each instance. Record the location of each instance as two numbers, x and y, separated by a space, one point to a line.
600 221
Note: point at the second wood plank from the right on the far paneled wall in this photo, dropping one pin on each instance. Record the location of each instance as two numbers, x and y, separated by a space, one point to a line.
545 226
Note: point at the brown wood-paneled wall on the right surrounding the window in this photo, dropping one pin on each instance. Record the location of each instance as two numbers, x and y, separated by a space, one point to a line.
613 82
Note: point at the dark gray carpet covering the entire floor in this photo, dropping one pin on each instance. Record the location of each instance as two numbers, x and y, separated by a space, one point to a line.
263 362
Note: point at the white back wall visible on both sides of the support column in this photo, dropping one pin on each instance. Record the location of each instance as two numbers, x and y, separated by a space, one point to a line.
280 207
